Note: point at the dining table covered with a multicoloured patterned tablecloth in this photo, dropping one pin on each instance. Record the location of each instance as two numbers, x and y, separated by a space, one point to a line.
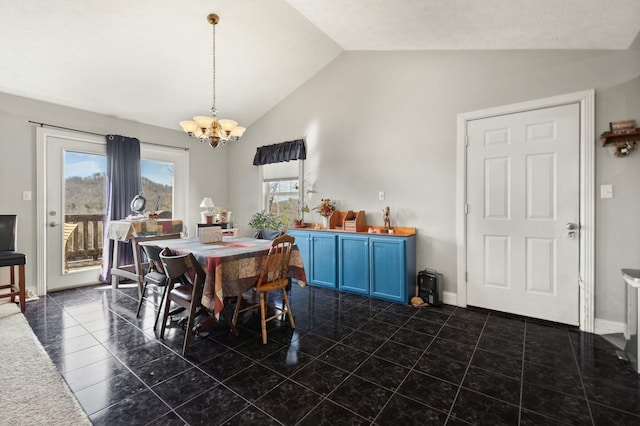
232 266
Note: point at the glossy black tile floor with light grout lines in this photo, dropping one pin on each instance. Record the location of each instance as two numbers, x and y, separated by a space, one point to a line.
351 360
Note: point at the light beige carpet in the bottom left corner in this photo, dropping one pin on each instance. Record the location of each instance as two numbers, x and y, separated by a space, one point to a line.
32 391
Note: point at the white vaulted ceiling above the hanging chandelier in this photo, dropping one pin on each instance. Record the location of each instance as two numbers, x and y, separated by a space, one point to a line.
150 60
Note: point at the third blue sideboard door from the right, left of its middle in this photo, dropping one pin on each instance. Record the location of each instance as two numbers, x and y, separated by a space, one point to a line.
323 259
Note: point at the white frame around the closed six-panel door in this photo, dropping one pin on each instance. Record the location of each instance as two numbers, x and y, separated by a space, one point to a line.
586 100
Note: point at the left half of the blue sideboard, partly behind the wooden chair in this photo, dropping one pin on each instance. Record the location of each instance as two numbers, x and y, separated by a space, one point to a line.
319 254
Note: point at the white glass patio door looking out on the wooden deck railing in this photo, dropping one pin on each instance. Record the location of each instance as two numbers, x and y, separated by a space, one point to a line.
74 200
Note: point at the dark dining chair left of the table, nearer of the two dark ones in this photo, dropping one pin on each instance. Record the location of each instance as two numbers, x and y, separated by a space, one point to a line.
185 286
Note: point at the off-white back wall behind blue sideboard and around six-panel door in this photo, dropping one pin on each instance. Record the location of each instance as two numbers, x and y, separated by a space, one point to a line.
386 121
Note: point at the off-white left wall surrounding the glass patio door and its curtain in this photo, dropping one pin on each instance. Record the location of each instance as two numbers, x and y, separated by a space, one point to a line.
208 169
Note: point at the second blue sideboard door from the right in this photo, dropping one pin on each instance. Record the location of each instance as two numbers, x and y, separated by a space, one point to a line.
353 261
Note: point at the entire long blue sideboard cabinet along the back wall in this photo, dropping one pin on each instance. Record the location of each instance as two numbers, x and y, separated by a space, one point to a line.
380 266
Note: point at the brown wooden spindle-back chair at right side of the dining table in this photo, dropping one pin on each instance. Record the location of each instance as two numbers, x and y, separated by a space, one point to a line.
273 277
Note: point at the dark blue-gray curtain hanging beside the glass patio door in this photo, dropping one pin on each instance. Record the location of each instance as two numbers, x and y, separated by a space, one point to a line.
123 183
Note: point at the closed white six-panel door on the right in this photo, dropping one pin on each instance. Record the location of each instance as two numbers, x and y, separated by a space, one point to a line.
523 186
